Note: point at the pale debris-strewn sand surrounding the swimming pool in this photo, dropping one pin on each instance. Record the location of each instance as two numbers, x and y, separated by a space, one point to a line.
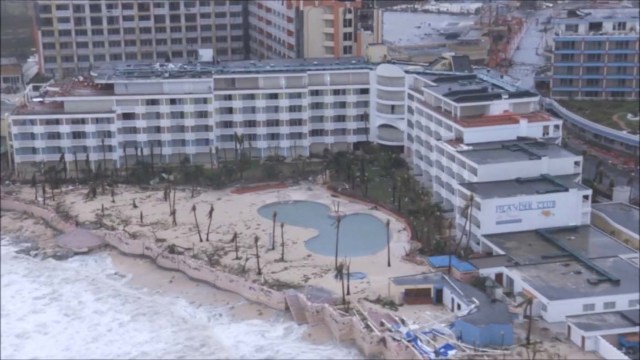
239 213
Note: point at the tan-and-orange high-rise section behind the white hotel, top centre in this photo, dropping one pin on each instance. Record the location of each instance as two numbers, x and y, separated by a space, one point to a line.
312 28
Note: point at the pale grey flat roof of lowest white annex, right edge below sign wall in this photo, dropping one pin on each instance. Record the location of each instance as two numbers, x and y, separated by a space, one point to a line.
572 279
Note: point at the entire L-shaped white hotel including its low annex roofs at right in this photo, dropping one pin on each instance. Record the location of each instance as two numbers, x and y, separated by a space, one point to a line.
465 135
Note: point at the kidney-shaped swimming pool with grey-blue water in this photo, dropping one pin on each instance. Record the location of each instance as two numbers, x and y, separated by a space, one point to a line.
360 234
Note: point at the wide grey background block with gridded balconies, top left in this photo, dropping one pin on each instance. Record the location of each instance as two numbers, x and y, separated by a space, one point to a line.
75 35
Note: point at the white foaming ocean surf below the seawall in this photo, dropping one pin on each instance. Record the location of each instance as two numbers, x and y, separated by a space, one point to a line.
81 309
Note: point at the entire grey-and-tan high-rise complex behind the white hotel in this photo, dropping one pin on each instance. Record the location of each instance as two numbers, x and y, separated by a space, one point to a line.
75 35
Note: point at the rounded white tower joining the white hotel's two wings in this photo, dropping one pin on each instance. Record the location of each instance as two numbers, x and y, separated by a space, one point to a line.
387 123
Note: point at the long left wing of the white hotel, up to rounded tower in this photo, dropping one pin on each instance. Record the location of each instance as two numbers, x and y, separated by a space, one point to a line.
286 107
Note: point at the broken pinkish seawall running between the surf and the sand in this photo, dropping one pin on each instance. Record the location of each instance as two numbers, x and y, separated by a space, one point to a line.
343 326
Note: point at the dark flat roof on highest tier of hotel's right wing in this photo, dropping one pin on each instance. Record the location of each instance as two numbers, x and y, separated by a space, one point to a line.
471 88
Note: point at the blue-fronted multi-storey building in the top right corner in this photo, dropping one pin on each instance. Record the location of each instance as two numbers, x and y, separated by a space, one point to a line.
595 54
